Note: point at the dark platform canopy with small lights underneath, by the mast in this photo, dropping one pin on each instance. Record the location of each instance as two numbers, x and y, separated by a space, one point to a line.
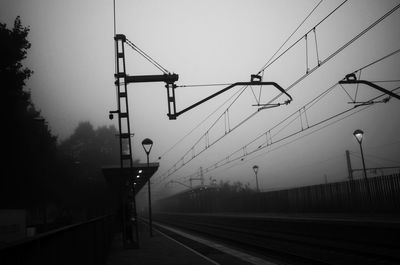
139 174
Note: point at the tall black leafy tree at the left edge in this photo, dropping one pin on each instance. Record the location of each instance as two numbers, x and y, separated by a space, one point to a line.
29 147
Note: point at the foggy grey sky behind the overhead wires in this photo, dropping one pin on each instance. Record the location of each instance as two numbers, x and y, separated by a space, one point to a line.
223 41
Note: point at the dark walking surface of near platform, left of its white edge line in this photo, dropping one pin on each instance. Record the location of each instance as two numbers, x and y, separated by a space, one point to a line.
158 249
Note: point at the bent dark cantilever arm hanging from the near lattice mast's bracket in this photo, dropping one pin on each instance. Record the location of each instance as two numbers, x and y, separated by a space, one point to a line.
173 116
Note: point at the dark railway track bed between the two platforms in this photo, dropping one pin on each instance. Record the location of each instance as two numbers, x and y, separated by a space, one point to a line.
298 240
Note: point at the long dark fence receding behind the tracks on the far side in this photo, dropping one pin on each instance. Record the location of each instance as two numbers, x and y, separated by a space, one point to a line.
378 194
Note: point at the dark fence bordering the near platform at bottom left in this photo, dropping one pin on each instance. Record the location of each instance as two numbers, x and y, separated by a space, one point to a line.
84 243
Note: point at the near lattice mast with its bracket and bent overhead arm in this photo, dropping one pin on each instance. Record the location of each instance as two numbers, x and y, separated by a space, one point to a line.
122 79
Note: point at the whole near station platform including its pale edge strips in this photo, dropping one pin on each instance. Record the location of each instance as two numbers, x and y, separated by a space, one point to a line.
162 249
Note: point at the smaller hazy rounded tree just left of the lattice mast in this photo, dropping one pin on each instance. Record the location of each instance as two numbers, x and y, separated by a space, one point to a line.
88 150
